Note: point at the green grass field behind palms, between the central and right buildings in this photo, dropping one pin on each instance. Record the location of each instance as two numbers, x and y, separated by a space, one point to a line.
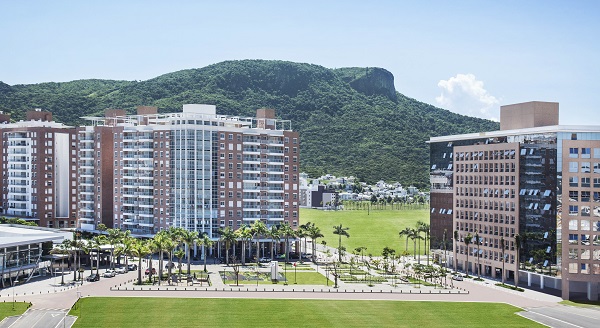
375 231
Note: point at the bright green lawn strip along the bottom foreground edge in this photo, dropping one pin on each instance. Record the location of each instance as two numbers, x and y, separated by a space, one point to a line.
195 312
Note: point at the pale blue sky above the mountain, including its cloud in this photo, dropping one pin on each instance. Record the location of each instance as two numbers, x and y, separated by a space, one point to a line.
470 57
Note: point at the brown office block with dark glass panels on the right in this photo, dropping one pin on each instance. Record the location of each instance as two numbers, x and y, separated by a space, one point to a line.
520 181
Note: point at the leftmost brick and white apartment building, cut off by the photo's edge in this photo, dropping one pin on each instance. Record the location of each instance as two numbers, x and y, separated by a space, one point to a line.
38 161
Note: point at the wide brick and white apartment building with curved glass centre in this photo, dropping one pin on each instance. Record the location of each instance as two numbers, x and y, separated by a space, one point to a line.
195 169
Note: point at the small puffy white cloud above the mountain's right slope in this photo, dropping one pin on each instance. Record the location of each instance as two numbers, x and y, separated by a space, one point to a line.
464 94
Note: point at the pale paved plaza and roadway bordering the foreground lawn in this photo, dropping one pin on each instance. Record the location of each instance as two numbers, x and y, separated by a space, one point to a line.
51 300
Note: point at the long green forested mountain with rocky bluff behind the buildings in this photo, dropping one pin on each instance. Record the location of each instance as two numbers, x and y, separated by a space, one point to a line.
352 120
